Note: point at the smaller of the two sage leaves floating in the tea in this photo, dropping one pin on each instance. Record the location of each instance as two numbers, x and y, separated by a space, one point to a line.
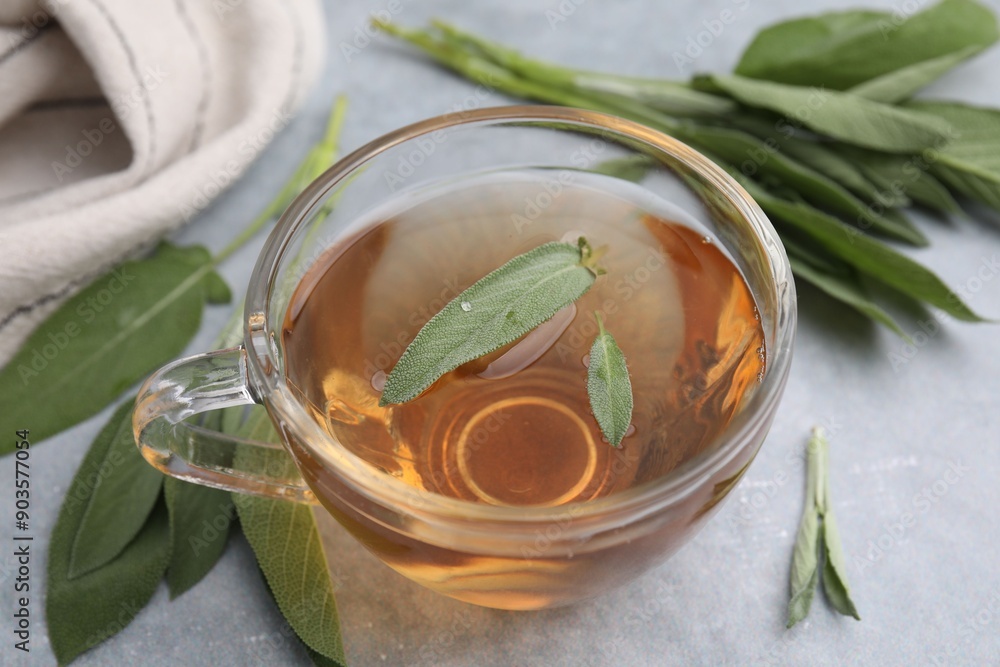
609 386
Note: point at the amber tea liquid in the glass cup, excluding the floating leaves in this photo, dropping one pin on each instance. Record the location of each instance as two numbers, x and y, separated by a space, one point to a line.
514 428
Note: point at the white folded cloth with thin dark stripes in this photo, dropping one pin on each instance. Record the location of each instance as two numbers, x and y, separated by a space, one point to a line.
120 121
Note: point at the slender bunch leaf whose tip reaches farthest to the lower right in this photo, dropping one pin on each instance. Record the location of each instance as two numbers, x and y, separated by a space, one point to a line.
864 253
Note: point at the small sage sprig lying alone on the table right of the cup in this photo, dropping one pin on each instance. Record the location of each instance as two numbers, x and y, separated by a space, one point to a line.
817 543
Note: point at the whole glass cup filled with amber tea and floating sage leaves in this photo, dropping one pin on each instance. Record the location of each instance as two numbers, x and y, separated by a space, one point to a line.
521 354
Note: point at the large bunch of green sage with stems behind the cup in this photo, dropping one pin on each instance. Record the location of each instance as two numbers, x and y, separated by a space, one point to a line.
815 122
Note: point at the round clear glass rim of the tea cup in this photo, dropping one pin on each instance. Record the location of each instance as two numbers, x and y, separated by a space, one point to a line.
268 380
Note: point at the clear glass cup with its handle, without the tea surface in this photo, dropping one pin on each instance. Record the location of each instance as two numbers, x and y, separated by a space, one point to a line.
492 555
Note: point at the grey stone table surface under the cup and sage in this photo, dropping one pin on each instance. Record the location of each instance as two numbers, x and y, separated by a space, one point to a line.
929 592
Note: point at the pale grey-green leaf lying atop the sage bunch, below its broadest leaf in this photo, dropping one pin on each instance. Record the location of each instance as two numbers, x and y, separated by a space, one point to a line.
851 119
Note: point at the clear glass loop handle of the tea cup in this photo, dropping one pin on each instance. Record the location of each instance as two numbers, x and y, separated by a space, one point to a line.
179 448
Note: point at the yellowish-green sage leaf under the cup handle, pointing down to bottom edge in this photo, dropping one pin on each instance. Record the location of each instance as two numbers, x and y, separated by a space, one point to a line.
289 550
